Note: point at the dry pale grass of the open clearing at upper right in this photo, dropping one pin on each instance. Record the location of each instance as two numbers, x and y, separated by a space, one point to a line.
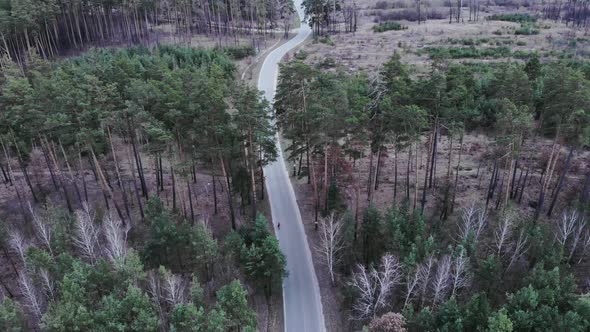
366 50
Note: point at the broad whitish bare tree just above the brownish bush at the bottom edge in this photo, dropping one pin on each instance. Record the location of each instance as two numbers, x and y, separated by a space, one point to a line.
374 287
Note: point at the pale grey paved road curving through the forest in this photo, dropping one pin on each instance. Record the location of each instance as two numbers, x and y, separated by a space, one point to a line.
301 295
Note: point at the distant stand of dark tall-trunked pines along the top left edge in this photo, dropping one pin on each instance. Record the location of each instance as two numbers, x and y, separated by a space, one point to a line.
55 26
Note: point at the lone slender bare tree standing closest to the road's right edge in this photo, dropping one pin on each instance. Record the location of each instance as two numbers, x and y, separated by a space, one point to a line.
331 243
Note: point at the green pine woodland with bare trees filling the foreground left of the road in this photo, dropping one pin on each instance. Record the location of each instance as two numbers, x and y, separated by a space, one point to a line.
100 160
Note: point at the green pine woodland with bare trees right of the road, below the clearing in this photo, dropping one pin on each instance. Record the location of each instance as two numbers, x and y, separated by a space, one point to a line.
481 265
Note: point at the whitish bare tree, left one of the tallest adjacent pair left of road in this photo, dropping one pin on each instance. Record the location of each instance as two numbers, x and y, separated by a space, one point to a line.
86 238
